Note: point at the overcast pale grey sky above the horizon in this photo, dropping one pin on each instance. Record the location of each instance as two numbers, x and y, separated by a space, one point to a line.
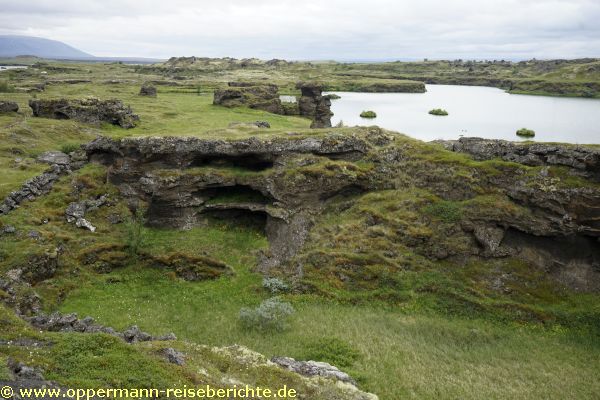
314 29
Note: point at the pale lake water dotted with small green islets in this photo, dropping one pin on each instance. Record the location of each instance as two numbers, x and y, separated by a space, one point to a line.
474 111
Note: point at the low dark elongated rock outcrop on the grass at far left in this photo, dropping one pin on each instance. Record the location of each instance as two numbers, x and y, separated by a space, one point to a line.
91 111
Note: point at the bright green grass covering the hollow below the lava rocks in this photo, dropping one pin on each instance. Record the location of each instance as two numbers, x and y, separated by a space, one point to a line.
400 354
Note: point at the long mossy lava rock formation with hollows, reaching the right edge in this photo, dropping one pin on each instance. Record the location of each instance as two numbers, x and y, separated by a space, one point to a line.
284 185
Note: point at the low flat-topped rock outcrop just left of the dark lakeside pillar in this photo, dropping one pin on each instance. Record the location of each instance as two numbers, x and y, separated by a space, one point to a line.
254 95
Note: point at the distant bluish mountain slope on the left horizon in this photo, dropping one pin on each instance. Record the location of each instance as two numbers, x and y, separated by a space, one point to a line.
13 45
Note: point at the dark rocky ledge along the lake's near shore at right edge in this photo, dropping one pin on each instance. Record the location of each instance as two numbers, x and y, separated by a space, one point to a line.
583 160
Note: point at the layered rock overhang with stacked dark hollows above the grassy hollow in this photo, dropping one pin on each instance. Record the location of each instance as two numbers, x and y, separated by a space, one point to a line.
185 181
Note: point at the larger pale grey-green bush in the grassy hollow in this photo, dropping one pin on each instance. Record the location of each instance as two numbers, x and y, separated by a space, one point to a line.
271 314
